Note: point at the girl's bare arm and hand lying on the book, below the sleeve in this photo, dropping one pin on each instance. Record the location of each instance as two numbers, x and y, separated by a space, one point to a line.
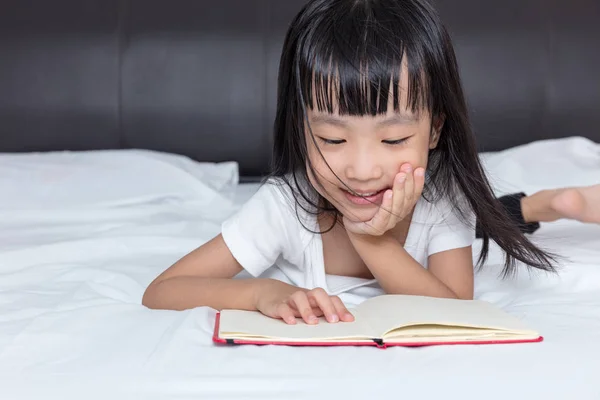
203 278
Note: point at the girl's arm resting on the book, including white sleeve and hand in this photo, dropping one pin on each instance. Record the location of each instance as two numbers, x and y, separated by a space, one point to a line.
252 240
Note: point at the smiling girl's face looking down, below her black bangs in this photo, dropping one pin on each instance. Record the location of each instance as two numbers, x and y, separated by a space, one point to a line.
366 153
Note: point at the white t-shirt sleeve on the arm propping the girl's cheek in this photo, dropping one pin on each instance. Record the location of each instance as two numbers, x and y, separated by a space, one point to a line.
450 230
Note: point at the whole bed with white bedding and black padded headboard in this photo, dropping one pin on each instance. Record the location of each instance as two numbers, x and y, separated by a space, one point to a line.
109 178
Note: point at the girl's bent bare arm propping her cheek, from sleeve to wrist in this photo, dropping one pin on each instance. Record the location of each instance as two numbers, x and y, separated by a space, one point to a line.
450 273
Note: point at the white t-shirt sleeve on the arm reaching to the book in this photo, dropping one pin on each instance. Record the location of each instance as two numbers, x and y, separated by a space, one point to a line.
258 233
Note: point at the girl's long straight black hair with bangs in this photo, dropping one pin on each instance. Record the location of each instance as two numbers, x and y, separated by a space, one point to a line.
347 54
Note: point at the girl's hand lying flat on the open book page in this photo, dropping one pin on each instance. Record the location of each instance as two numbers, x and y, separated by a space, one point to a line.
288 302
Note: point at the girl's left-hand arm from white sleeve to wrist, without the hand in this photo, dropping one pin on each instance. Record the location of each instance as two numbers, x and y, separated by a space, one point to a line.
251 239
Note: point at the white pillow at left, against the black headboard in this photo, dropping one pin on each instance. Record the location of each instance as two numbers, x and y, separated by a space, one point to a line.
108 178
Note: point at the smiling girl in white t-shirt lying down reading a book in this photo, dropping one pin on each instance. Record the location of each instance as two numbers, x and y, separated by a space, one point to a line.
376 181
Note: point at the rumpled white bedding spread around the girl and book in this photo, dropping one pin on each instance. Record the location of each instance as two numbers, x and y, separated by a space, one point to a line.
75 260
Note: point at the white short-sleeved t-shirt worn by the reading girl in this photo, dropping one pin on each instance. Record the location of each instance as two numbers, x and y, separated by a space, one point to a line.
271 237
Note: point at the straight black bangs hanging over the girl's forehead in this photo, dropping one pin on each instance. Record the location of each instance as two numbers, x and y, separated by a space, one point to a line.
361 65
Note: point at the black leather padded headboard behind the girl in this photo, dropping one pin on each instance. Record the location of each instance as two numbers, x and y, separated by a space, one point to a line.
198 77
